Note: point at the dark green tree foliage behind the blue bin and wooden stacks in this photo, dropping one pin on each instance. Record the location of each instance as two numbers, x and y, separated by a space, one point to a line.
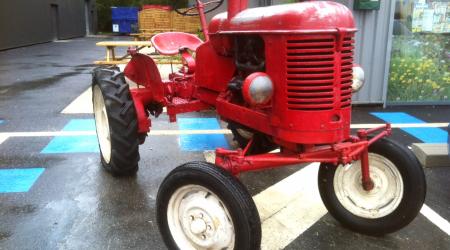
104 9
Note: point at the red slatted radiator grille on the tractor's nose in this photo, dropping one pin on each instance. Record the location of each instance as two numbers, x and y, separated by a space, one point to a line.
311 65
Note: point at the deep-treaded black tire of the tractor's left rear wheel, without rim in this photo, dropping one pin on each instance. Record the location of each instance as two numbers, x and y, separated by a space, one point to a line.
122 121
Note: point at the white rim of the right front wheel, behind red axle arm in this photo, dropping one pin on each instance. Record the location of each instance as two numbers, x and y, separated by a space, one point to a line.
382 200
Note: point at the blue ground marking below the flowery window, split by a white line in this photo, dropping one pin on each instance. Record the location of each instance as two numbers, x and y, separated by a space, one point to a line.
427 135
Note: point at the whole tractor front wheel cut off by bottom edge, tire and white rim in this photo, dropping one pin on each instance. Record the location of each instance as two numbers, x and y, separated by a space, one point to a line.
201 206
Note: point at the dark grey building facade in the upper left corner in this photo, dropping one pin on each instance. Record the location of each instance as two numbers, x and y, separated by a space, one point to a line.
25 22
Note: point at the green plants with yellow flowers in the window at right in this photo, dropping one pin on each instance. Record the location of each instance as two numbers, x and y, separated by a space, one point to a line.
419 68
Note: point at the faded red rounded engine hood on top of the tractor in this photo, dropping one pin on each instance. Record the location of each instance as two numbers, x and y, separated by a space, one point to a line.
312 16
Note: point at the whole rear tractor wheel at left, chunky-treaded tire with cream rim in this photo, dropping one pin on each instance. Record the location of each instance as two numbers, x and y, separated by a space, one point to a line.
115 121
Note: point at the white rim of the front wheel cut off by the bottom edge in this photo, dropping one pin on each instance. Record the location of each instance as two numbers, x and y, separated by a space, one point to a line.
198 219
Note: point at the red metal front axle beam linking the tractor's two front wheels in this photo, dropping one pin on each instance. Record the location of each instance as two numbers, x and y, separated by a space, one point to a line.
236 161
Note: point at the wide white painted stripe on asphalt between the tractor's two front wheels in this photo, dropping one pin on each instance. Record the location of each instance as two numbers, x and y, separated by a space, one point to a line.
289 208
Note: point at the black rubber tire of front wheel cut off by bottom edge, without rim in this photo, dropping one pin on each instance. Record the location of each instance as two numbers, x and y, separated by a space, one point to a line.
227 188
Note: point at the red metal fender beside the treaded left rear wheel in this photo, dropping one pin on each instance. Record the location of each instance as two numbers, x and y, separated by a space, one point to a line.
143 70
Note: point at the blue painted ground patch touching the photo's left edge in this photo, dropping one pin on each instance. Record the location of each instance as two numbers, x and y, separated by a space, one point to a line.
18 180
